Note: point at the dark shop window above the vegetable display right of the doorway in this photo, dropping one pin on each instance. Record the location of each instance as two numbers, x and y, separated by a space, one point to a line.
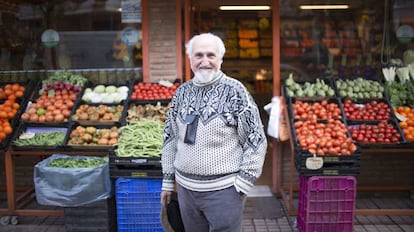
344 42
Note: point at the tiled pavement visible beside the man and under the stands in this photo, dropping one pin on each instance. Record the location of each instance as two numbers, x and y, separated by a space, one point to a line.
263 213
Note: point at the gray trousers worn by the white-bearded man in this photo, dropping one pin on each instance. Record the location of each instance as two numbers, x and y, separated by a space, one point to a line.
214 211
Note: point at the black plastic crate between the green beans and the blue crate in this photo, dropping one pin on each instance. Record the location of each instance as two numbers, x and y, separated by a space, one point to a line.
136 167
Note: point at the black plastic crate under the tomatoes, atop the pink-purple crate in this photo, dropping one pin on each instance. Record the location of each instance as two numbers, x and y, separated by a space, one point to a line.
333 165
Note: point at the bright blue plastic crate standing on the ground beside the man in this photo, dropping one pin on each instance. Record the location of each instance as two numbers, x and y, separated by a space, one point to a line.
138 204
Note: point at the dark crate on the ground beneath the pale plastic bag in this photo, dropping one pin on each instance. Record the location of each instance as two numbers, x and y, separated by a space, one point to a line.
95 217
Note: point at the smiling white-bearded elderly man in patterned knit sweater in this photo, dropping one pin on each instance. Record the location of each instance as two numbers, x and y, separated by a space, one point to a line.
214 143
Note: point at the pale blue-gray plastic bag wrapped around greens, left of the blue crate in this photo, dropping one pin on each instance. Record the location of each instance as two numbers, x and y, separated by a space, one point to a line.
70 187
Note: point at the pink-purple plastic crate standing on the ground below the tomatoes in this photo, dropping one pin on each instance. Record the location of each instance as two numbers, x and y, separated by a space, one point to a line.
326 203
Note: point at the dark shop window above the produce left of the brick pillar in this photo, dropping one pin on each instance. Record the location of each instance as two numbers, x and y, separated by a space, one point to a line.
72 34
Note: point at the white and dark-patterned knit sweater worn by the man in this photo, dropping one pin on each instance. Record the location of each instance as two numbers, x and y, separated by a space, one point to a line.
230 144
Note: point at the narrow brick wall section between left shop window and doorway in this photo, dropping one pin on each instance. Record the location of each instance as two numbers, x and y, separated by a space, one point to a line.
162 40
